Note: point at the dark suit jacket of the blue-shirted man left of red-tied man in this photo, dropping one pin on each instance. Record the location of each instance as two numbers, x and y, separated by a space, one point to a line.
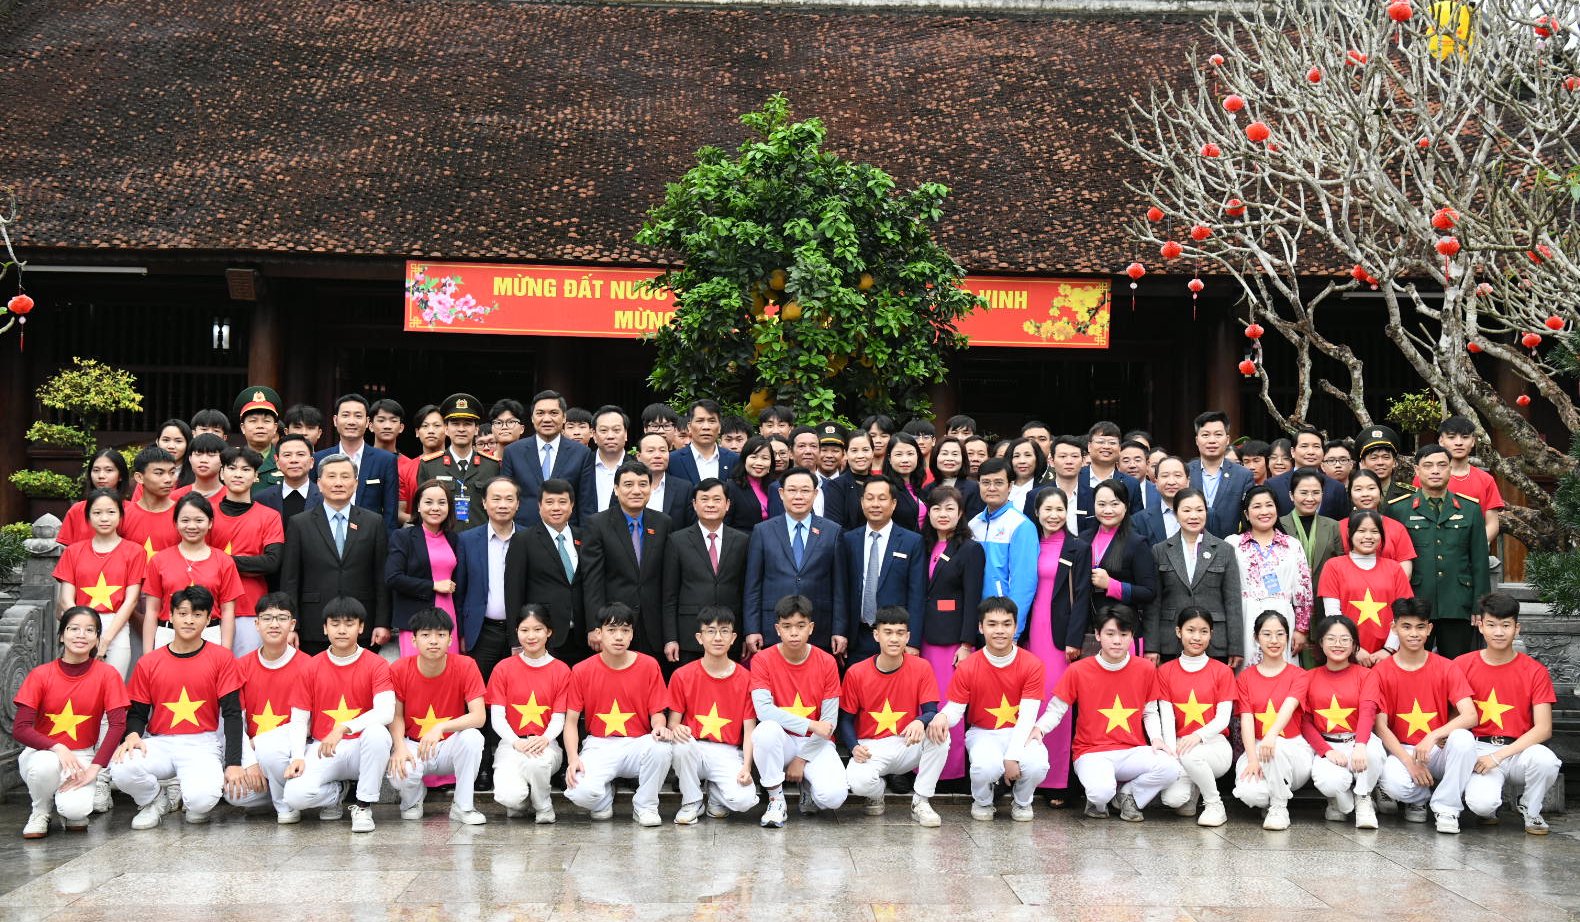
611 572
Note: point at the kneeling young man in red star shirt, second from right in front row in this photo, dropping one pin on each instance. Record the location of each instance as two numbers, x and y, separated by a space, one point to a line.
1424 719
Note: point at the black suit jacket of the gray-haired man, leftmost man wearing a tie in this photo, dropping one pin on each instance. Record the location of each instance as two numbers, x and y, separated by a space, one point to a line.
314 574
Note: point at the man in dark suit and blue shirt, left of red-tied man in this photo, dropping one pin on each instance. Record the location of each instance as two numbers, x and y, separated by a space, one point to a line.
623 557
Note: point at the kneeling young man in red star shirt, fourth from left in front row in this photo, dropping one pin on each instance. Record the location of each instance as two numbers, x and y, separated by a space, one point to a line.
348 705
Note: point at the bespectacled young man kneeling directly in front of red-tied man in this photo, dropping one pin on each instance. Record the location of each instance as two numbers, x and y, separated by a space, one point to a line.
712 719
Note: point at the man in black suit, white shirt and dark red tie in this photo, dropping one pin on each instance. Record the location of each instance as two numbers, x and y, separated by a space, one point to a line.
705 564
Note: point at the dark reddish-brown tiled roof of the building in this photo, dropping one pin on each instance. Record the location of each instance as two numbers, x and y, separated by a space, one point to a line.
544 132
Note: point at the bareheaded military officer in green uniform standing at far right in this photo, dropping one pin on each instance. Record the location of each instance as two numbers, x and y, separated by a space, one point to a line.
1451 552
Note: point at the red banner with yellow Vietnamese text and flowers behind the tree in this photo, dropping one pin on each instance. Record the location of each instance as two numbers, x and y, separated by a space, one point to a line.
559 301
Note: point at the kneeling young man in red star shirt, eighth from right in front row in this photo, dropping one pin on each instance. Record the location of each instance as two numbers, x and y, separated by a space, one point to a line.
886 705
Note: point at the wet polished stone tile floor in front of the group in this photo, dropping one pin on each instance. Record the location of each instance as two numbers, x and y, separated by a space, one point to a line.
846 868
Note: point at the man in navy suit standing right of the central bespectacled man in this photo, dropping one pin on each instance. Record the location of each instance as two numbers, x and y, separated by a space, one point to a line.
884 566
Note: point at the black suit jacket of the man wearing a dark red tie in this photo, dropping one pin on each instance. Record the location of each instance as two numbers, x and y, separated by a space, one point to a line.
691 585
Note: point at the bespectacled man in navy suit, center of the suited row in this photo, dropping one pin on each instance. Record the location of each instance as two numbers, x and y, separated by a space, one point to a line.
796 553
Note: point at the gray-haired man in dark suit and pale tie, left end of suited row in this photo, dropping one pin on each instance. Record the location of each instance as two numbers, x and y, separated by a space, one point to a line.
333 550
